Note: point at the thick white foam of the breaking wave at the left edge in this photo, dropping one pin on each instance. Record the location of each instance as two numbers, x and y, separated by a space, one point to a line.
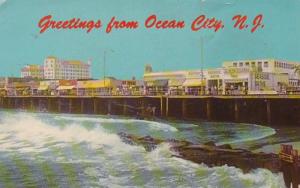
26 129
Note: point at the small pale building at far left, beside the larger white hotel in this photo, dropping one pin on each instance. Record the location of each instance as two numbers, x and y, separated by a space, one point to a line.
32 71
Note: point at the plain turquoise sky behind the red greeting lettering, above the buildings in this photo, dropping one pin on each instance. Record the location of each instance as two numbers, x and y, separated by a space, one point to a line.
21 43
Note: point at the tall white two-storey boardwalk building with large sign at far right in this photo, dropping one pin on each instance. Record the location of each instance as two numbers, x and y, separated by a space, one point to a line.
262 75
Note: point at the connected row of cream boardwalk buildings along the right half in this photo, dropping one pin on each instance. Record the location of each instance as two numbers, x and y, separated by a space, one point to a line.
262 76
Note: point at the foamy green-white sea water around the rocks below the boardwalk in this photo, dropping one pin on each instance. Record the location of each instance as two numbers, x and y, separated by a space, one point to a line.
51 150
